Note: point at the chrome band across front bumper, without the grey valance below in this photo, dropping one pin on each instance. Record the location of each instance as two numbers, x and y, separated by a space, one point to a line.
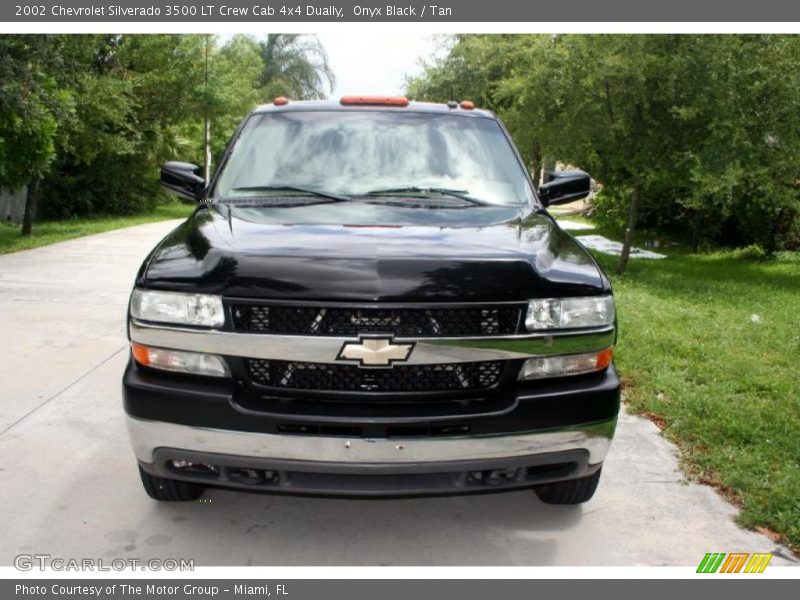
148 435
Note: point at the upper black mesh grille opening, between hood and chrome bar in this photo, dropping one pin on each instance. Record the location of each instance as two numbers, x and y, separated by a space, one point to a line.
403 322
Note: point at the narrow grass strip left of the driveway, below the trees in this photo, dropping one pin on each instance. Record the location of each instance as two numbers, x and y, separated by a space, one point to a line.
49 232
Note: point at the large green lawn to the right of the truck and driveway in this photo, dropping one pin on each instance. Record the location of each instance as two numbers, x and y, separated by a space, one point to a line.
723 383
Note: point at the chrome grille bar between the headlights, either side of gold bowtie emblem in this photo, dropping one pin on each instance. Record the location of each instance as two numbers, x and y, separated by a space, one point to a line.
325 349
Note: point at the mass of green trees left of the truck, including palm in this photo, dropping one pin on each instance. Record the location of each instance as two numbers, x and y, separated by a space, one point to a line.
96 115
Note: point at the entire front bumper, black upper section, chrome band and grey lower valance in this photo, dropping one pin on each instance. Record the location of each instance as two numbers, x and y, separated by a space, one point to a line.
551 430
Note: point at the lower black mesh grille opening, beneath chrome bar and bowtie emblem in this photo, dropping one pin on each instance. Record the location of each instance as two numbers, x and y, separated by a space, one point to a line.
351 378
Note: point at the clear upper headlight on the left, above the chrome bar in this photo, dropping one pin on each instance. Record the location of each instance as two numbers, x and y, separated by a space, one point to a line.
175 307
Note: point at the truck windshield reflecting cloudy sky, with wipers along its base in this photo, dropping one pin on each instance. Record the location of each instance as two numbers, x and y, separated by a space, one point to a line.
376 153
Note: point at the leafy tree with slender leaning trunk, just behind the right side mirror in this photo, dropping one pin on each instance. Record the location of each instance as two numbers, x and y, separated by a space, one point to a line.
593 101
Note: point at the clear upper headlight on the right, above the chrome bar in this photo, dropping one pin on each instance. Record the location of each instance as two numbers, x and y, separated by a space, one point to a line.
569 313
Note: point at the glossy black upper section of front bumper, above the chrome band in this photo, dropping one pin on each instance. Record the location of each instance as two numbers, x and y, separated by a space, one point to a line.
223 404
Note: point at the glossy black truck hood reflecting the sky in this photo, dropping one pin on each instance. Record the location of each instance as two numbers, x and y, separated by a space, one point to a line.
372 252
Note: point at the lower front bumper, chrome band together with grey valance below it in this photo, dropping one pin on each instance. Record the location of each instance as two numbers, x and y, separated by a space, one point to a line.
368 467
